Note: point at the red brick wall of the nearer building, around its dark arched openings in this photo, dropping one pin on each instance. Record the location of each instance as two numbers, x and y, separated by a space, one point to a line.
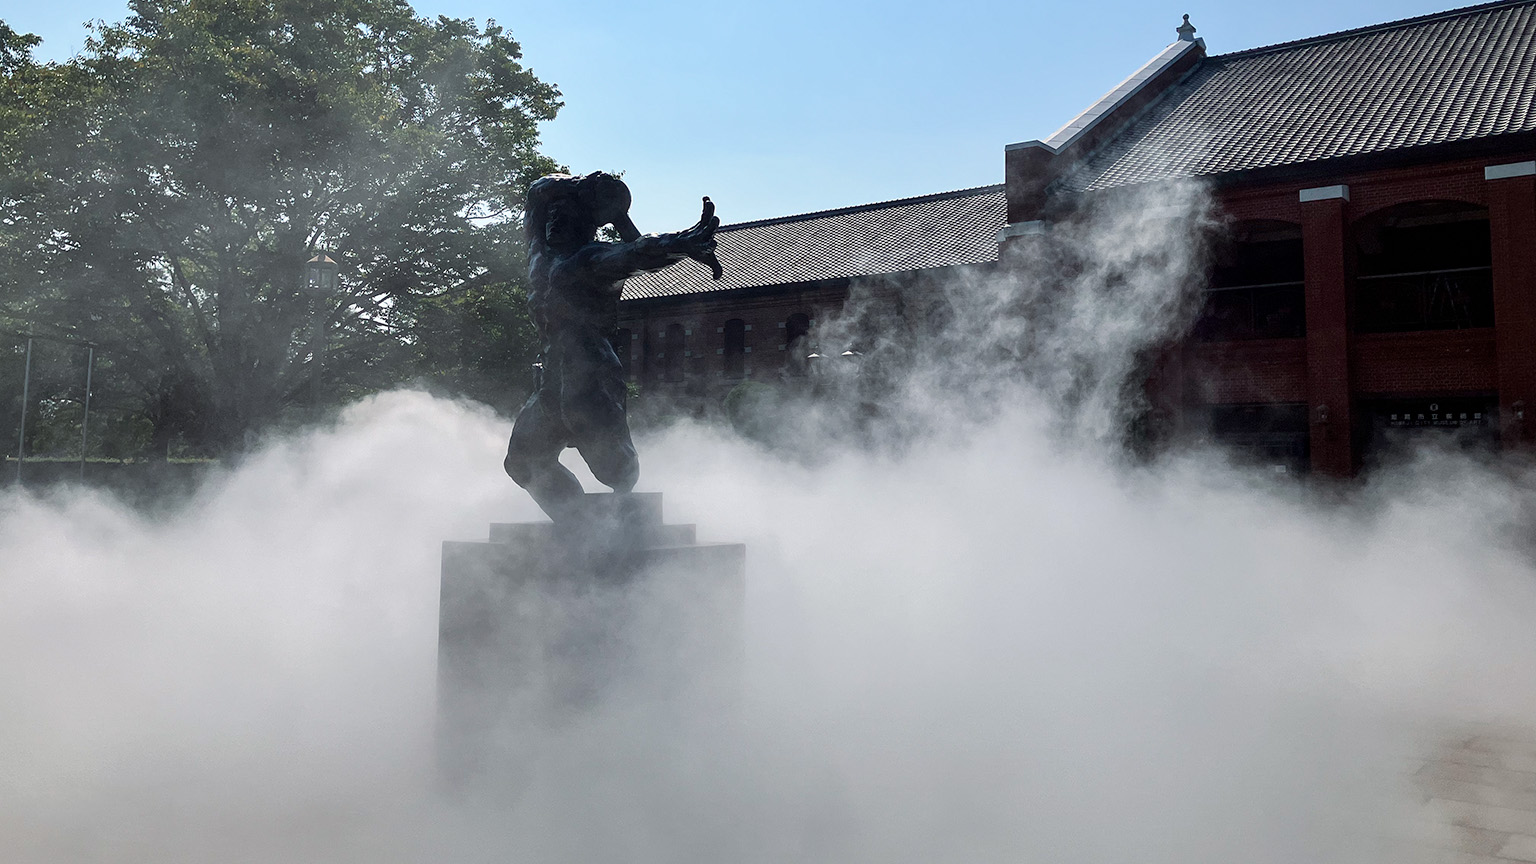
1337 367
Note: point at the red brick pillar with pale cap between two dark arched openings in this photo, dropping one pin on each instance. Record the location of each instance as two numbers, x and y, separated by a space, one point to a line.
1325 242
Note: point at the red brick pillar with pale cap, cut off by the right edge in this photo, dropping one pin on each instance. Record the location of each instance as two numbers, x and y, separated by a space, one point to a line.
1512 225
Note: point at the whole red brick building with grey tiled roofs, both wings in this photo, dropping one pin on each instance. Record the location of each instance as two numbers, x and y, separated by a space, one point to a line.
1379 277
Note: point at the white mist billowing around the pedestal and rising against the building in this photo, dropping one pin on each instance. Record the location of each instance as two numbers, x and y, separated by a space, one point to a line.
993 642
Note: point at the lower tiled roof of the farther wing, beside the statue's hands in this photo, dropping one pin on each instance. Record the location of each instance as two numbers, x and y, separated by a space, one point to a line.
932 231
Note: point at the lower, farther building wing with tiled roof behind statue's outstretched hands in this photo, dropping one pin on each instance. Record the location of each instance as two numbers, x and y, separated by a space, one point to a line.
690 336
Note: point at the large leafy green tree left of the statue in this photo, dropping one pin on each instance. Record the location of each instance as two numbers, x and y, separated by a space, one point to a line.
167 187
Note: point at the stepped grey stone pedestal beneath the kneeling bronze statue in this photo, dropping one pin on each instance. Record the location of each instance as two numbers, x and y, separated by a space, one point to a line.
541 623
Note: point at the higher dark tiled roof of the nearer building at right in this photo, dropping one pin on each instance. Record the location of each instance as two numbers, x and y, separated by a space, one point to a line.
1449 78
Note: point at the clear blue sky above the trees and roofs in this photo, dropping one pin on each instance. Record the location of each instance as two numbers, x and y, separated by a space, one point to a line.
793 107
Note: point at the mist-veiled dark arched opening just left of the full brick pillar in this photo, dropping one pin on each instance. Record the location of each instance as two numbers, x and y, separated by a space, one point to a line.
1256 287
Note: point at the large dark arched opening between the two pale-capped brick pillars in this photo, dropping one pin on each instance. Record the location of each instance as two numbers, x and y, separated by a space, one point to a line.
1425 267
